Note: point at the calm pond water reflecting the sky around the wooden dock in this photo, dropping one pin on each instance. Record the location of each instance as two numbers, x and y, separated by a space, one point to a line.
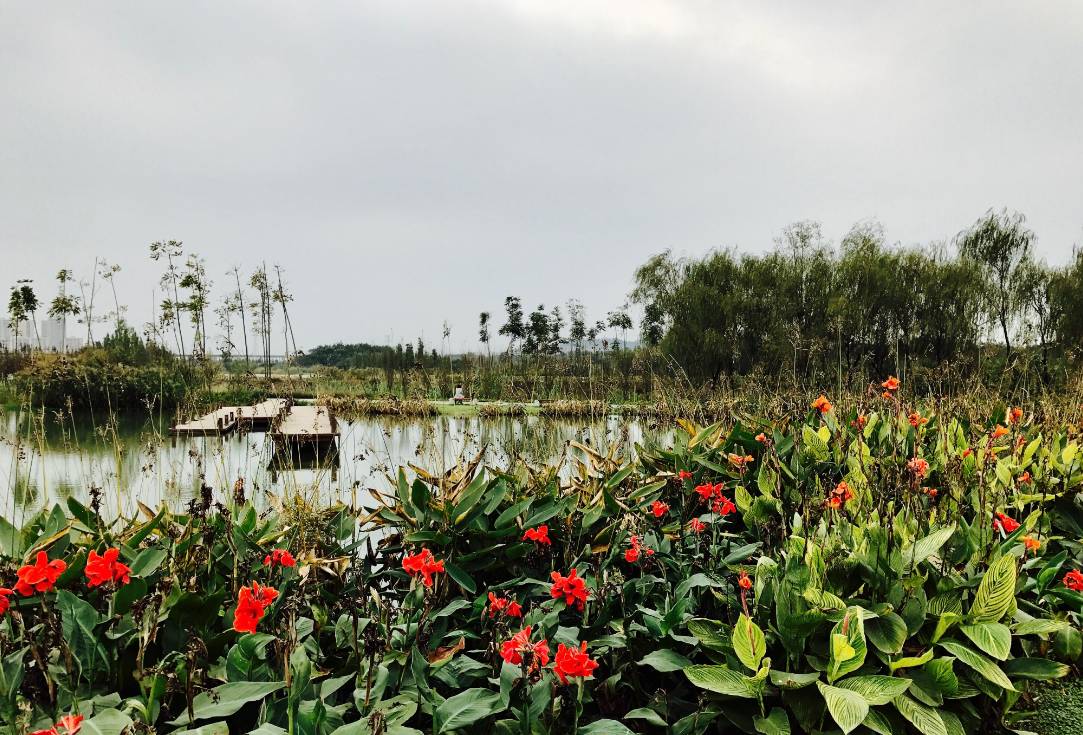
128 461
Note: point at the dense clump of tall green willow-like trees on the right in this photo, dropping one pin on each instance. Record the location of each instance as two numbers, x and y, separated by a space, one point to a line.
812 310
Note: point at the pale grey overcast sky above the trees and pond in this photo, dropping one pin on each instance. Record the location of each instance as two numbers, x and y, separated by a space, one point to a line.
409 163
